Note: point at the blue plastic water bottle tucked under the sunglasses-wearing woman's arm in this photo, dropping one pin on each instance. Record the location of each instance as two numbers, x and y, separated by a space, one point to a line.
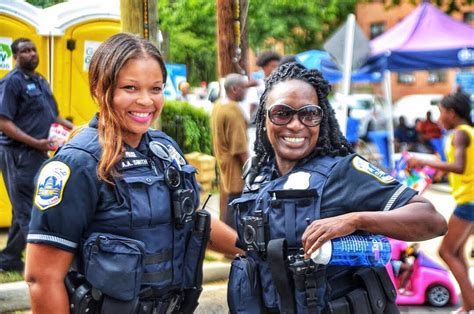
354 250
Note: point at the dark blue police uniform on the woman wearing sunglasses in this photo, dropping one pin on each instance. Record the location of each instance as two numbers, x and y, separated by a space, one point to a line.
281 207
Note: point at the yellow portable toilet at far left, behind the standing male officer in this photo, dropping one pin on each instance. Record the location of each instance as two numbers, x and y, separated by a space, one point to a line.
19 19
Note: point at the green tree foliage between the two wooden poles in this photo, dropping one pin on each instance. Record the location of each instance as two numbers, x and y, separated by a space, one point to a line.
191 28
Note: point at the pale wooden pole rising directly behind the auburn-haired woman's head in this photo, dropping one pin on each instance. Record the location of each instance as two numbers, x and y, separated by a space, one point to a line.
140 17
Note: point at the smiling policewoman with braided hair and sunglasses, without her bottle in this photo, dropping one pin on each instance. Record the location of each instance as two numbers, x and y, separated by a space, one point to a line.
305 186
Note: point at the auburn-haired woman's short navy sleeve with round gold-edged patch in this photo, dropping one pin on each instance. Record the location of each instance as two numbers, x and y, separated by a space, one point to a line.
66 196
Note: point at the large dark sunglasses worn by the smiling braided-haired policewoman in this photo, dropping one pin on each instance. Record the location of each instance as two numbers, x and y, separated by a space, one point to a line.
282 114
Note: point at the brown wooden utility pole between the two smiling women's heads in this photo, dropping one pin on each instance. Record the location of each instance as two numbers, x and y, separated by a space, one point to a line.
231 36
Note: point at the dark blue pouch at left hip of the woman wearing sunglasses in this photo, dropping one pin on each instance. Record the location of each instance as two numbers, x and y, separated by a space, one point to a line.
244 292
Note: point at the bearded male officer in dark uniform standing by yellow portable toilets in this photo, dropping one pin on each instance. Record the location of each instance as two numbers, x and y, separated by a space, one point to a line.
27 110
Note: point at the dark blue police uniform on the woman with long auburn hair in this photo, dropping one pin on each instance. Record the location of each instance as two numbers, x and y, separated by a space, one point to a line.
134 236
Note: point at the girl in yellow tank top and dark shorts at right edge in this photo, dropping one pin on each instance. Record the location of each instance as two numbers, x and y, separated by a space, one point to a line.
455 115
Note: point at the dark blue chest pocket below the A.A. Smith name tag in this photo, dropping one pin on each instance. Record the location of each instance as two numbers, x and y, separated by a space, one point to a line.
149 201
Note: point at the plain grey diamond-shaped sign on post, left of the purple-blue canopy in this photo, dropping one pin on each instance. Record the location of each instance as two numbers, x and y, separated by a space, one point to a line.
335 46
